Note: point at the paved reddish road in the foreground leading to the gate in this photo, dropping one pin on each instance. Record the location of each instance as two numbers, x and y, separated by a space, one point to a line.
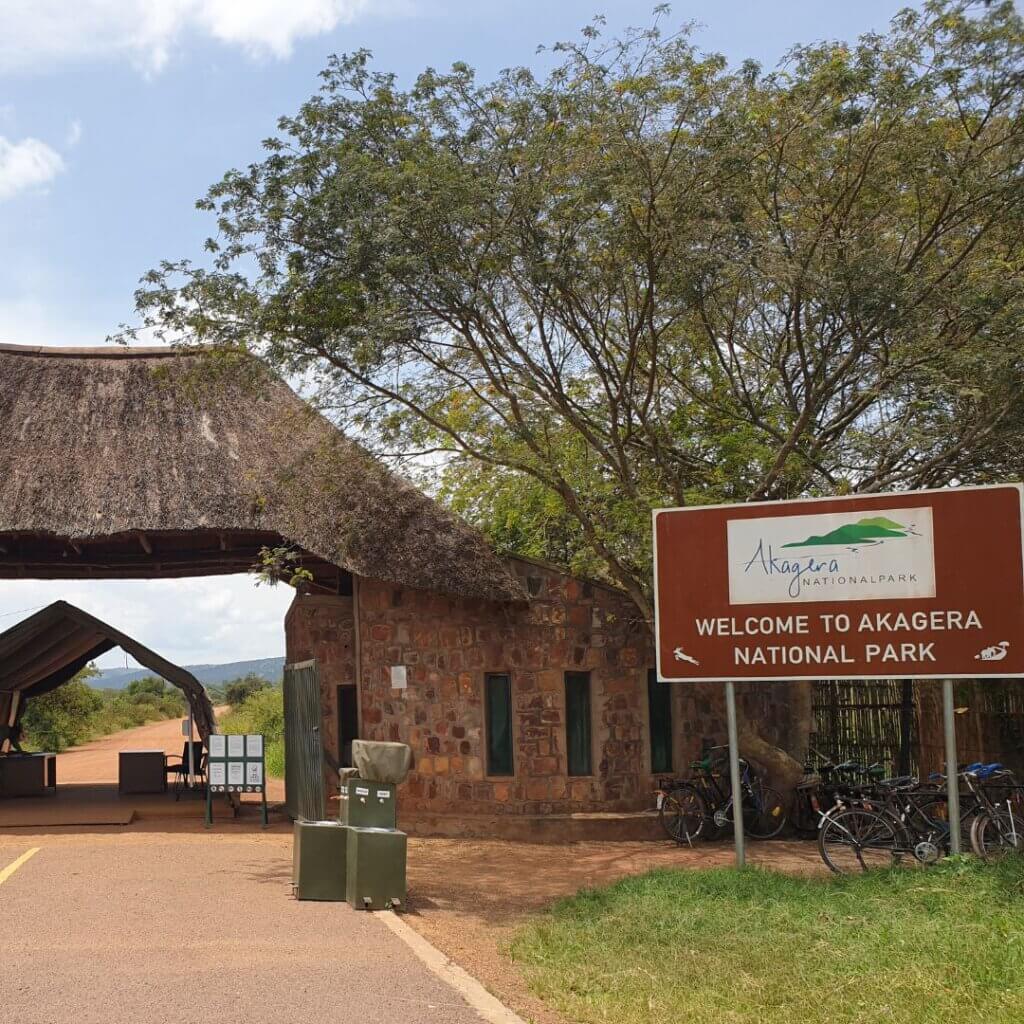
150 929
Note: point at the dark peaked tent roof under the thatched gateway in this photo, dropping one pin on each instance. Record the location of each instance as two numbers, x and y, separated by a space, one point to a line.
48 650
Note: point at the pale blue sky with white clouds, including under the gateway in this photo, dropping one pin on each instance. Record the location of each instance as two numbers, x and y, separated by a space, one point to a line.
117 115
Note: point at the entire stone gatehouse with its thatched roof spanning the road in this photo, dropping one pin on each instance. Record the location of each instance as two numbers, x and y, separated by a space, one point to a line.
527 696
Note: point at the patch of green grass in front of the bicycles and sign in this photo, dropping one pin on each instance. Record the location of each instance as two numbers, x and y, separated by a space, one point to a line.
758 948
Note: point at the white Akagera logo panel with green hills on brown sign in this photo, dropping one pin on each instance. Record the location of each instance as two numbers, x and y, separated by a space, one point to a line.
832 558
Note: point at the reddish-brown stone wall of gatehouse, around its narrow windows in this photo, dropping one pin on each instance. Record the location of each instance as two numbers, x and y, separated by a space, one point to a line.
448 646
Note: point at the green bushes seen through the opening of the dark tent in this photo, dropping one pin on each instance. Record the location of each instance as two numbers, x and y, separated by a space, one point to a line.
76 713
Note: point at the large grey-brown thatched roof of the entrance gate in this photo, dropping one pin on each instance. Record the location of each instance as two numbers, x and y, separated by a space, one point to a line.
101 443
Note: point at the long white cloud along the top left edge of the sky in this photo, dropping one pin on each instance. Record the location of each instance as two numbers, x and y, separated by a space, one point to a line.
41 33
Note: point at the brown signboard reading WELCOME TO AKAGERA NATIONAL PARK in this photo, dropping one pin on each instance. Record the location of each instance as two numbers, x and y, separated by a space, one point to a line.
919 585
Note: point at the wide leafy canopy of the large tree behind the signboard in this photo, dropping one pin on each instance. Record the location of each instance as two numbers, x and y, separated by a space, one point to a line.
647 279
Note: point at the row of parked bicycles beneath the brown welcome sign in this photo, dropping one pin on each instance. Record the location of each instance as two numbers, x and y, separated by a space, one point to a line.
862 819
